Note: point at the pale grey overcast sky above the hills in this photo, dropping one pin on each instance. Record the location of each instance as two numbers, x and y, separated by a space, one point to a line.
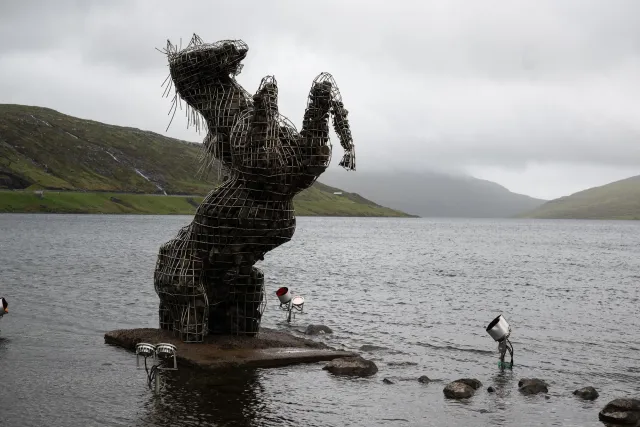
542 96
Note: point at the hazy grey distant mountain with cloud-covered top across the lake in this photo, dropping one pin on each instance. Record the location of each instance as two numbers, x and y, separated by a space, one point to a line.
433 194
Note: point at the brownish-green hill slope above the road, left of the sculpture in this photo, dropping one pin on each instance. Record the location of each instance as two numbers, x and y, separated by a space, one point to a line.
45 149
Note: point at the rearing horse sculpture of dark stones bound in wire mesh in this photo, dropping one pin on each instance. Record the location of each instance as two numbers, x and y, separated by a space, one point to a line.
205 277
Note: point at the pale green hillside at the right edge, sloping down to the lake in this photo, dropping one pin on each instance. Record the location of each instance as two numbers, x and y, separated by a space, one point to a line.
618 200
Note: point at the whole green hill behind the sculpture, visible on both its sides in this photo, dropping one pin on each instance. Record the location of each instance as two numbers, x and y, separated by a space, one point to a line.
88 166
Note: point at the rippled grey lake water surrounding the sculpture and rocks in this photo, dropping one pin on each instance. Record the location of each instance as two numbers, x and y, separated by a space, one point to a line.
417 292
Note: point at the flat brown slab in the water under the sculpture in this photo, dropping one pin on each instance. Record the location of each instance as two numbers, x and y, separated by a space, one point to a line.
269 350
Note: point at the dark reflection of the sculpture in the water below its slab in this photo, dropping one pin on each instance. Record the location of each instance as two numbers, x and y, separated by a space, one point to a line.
189 397
